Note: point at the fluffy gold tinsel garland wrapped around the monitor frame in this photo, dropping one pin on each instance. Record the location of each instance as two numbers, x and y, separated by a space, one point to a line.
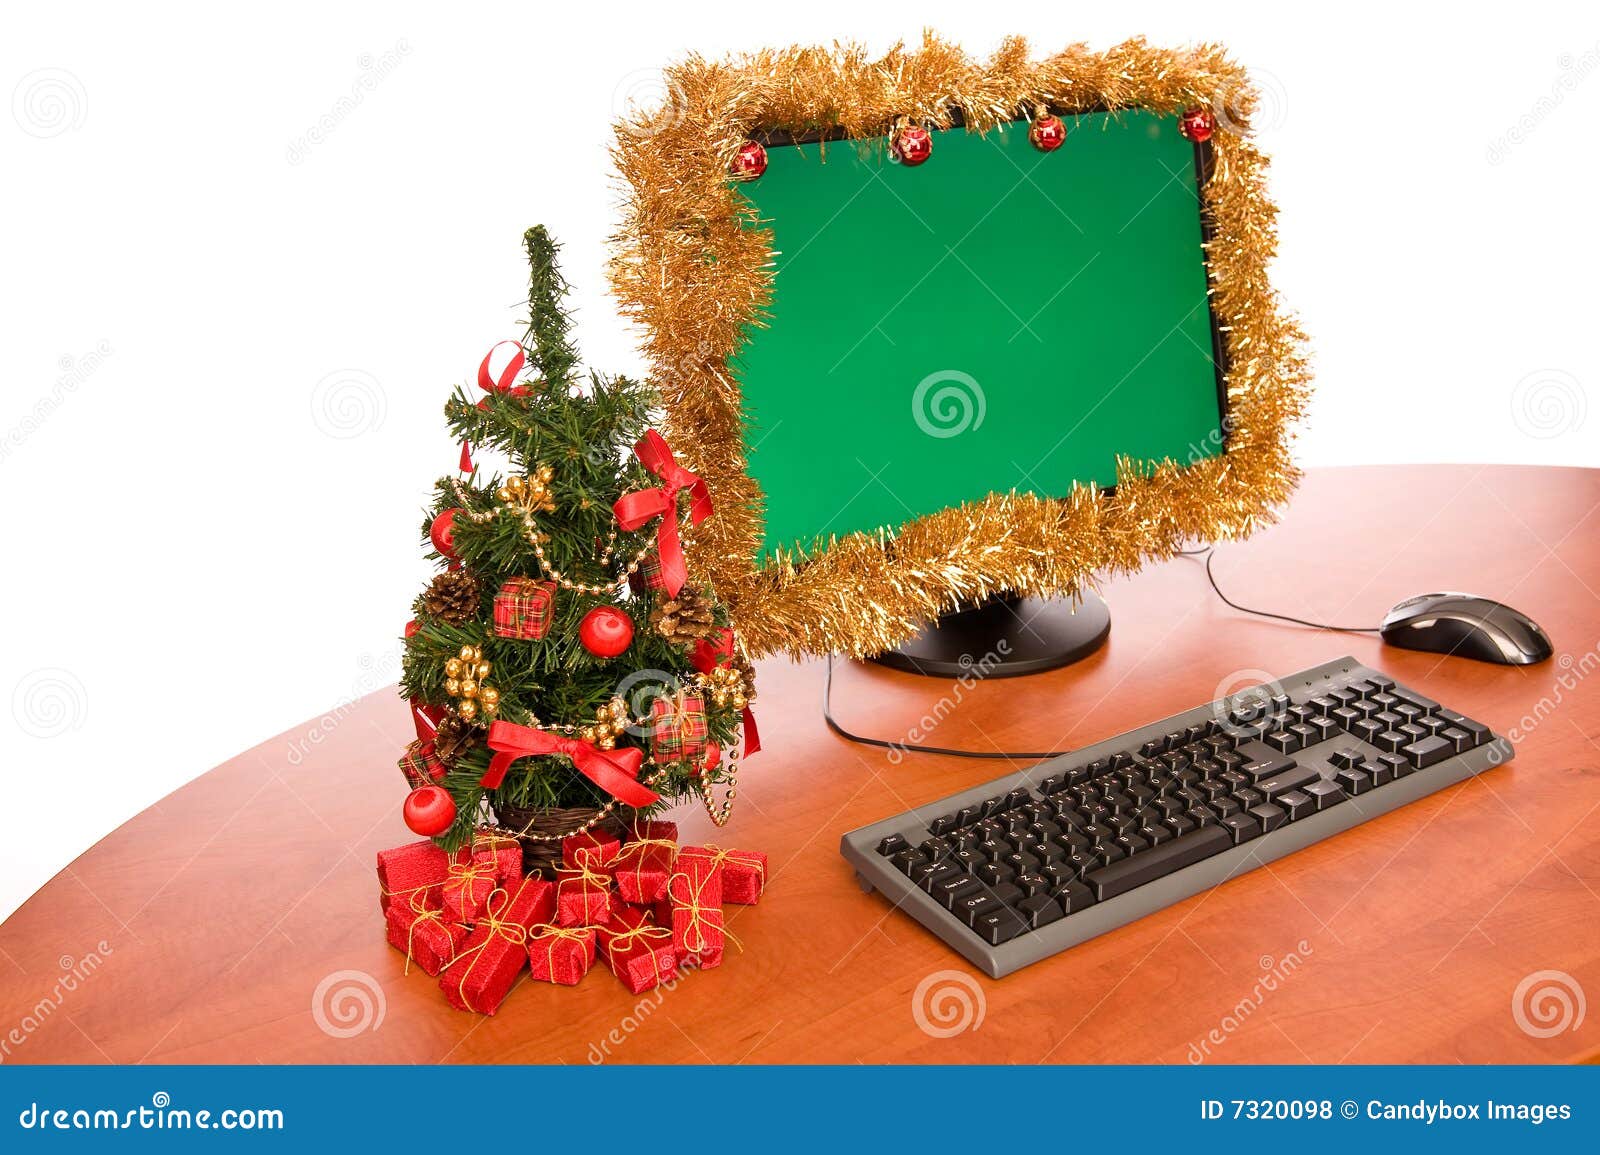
695 274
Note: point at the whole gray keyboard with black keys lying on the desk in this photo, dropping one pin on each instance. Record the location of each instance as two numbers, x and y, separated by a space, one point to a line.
1046 858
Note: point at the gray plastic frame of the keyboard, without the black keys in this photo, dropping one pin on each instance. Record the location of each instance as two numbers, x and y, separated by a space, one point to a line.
878 873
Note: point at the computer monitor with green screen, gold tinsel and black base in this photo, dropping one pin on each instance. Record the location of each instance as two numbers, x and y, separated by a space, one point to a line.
1006 369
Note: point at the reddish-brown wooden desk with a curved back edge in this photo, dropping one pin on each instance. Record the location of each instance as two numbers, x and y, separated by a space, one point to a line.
226 905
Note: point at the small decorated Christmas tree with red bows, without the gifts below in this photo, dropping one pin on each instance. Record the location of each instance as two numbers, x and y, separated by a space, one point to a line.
561 668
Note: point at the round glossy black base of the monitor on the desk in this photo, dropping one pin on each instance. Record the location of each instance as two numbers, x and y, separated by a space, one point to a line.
1039 634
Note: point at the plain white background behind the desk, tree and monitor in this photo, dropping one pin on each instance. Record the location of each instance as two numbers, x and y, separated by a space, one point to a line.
228 337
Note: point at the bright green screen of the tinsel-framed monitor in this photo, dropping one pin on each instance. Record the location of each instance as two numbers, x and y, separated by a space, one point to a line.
998 319
